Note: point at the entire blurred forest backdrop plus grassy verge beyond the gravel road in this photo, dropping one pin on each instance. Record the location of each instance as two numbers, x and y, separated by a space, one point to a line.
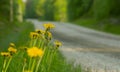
103 15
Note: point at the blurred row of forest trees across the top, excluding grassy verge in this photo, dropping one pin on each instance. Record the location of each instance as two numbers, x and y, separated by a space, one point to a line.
60 10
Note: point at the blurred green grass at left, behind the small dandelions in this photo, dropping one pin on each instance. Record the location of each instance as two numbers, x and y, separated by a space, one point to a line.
14 32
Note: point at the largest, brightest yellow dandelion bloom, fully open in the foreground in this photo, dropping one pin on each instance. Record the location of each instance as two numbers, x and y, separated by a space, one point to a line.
34 52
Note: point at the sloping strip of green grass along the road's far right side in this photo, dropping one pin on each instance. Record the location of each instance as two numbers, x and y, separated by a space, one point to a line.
104 25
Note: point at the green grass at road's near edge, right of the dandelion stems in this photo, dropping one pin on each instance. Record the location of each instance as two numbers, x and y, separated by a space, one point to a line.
59 64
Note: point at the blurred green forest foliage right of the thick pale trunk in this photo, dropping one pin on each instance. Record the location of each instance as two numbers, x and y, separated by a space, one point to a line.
69 10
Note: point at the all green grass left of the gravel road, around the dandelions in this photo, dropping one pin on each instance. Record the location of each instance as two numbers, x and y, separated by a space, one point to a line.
18 33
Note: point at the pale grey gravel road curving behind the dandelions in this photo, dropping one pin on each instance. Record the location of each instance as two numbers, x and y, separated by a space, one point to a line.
95 51
